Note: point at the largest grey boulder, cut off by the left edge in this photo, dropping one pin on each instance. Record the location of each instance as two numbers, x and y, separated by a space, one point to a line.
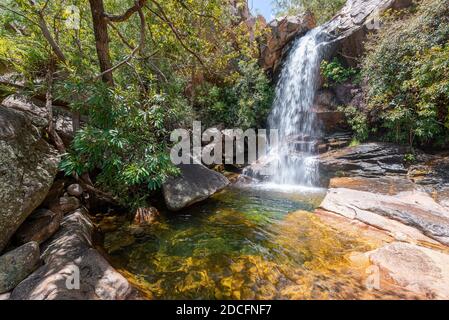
28 165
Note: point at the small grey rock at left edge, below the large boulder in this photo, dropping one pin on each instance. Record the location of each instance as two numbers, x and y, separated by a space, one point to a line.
17 264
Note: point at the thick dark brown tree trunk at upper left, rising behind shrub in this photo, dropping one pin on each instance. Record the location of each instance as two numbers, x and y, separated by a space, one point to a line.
100 26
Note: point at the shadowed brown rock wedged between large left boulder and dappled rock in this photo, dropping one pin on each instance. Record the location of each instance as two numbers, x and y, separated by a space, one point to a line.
39 226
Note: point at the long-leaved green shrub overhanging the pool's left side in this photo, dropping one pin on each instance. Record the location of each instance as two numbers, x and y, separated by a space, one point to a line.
126 142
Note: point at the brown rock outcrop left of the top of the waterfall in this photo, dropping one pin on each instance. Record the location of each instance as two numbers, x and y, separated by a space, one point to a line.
283 31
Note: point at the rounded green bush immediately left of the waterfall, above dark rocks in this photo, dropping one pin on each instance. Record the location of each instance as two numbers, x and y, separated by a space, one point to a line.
244 103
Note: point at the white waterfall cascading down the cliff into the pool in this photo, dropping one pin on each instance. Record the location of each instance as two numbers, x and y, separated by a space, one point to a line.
292 157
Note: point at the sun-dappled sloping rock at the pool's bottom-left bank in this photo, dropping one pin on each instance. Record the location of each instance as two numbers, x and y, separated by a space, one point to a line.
70 251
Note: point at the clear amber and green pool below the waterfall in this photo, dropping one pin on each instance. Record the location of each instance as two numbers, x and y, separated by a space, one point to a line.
244 243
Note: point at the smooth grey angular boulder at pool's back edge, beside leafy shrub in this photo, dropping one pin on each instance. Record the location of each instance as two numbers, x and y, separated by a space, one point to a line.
196 183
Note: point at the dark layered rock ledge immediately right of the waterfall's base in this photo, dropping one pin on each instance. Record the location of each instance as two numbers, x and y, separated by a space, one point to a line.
365 160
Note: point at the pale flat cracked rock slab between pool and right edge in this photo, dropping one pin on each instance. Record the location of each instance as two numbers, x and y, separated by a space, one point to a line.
413 214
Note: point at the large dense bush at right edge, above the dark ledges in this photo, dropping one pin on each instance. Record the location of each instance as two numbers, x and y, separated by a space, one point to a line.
407 74
